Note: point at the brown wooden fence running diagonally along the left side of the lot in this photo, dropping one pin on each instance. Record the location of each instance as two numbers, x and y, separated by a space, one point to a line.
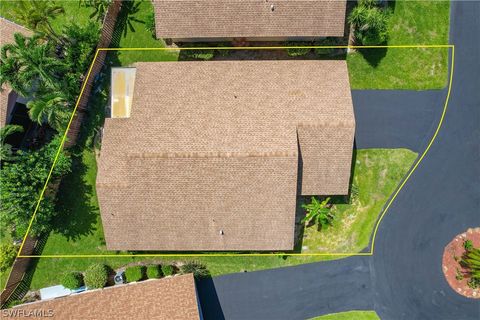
18 282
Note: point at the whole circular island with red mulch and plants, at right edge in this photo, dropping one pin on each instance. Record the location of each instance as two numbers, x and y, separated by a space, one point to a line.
459 258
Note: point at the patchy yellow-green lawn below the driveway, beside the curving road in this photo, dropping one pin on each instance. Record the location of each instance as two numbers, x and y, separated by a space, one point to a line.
377 173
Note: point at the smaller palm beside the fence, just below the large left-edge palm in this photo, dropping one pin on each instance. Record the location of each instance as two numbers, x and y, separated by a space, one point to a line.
50 107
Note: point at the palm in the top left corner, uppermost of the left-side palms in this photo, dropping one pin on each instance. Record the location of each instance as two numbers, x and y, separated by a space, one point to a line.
37 15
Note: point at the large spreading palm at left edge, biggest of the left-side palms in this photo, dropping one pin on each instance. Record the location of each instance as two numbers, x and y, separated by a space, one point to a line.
28 62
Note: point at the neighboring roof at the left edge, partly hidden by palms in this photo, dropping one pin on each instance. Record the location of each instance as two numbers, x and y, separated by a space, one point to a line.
7 31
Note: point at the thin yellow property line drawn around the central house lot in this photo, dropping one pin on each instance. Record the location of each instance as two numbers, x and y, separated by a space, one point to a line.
414 167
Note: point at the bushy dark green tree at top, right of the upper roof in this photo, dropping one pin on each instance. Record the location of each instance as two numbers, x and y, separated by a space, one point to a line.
370 23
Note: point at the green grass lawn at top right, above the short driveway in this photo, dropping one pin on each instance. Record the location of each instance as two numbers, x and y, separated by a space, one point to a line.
412 22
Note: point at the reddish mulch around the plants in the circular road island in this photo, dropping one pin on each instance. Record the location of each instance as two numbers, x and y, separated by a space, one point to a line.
455 250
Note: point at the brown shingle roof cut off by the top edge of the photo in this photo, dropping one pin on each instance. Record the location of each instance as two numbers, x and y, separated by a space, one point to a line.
249 18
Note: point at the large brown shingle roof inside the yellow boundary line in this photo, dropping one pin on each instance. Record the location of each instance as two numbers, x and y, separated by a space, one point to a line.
211 148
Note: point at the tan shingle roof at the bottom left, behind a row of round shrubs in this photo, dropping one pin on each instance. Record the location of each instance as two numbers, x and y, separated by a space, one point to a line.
168 298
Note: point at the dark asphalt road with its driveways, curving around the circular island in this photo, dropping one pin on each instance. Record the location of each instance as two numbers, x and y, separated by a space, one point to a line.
403 279
